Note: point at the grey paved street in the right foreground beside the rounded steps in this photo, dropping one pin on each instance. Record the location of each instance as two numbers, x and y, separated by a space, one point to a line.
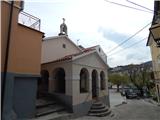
133 110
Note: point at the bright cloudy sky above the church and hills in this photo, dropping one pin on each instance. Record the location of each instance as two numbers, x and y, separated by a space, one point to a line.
98 22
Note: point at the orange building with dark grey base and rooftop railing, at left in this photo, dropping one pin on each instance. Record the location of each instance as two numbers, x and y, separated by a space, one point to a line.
20 60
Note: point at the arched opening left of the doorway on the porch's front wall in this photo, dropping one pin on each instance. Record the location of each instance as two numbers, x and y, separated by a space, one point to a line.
84 80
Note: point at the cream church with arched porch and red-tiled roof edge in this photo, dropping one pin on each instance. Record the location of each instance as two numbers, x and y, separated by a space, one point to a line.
76 75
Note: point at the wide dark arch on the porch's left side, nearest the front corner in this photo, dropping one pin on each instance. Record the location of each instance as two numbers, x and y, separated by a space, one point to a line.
59 77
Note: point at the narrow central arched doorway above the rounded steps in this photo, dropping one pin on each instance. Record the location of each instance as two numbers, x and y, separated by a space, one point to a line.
94 83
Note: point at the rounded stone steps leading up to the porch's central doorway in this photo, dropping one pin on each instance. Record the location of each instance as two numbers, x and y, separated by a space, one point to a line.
99 109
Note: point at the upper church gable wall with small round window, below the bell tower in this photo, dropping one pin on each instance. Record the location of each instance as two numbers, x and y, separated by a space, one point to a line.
52 49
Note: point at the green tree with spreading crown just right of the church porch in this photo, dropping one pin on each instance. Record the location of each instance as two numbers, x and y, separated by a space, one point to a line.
118 79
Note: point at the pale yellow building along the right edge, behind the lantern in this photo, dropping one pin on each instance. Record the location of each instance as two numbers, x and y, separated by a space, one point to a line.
155 50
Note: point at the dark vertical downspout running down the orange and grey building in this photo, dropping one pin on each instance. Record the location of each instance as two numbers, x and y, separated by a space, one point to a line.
7 54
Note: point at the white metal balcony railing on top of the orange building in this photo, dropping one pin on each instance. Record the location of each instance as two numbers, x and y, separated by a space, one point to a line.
29 20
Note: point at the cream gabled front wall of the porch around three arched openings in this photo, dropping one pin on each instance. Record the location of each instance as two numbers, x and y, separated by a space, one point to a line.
90 62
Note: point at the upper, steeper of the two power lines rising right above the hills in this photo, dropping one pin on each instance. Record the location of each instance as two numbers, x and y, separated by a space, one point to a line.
129 38
